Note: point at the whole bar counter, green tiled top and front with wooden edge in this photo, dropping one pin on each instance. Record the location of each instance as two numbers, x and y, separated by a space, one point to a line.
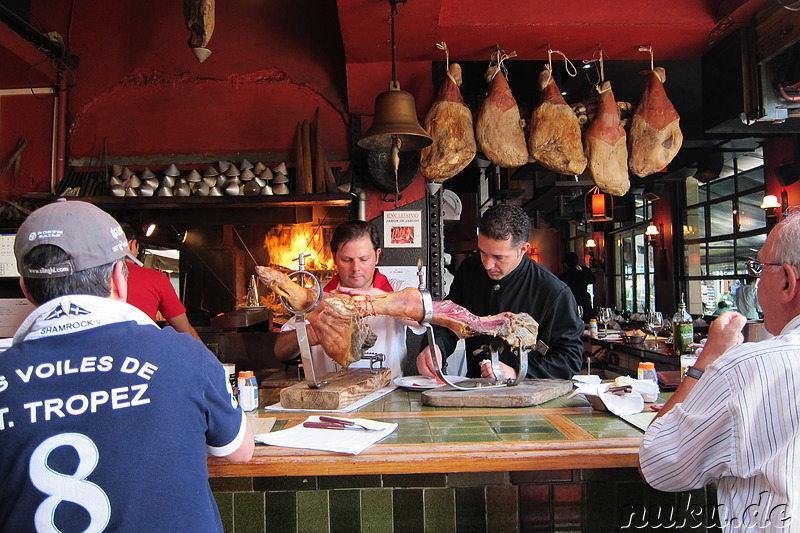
559 466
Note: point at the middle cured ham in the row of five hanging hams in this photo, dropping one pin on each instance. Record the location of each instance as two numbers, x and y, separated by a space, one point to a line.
555 134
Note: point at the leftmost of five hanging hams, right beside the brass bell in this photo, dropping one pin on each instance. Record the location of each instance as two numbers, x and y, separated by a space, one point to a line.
449 123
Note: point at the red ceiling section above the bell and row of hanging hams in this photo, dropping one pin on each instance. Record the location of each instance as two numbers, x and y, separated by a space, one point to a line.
676 29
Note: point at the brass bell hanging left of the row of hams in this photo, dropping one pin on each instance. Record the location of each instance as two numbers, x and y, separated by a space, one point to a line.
395 117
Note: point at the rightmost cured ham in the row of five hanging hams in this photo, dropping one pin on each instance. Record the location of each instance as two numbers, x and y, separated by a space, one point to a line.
655 136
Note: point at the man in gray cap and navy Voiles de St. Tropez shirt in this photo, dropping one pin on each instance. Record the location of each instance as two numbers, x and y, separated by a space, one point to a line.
105 419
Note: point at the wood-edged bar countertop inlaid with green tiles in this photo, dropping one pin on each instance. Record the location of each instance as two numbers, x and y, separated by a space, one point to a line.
560 434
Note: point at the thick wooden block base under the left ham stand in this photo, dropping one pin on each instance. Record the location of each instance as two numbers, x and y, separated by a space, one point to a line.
343 388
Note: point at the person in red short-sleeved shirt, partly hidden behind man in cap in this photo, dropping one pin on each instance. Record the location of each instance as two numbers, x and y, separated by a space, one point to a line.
151 291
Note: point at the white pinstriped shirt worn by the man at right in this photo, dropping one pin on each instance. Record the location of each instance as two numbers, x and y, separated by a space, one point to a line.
739 426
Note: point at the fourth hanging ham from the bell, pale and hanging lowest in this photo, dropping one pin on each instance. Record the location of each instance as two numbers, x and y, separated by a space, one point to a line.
605 145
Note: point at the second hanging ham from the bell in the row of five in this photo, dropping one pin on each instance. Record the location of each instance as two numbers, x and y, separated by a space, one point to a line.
498 129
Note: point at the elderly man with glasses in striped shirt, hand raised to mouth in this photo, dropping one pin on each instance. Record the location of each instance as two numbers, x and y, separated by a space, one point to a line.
735 419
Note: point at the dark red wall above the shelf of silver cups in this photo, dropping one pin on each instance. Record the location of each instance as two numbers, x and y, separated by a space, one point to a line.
140 87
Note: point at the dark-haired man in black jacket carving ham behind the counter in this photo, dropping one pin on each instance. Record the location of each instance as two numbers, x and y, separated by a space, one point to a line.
501 277
